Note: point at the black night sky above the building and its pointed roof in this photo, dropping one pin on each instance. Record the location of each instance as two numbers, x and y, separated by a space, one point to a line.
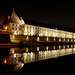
53 12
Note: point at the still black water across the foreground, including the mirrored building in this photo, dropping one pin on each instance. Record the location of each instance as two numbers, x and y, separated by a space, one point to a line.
36 60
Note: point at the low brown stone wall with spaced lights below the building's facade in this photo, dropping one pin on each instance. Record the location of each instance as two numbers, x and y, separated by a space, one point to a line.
39 38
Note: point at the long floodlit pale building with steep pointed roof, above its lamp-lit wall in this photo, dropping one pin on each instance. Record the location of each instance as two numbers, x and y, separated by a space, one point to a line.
17 26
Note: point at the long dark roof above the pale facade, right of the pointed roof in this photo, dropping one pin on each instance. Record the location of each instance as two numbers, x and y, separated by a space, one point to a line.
53 26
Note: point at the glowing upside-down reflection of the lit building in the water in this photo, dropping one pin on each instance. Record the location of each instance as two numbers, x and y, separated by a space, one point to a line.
25 55
